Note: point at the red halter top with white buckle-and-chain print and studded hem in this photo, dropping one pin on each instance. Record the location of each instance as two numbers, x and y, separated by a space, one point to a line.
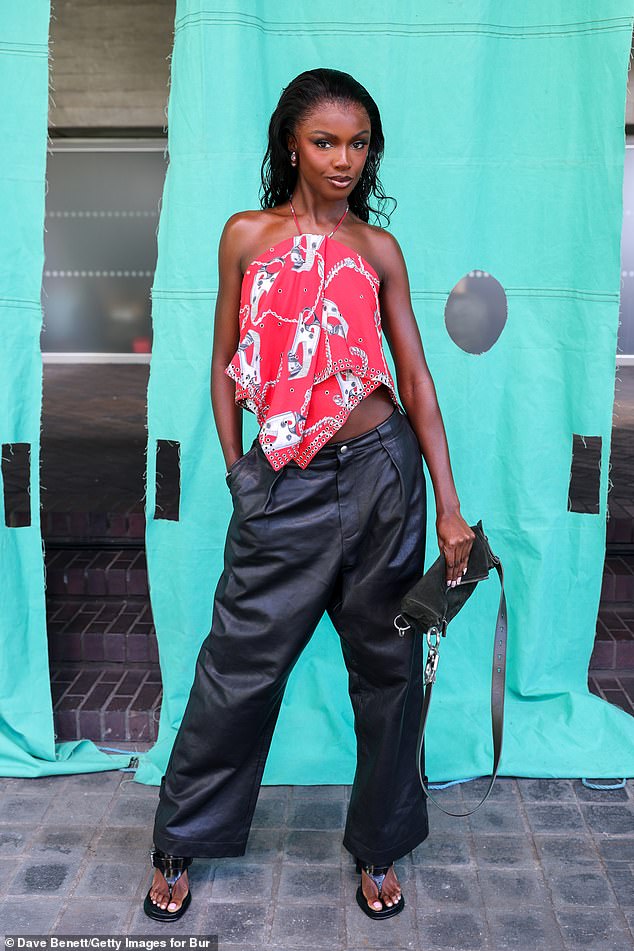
310 343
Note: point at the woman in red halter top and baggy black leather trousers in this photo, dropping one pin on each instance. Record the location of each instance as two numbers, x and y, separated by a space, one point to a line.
306 288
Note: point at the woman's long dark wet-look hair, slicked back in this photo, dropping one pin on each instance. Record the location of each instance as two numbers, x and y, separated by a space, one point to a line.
301 95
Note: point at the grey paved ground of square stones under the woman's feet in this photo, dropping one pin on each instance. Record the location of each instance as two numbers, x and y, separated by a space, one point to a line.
544 864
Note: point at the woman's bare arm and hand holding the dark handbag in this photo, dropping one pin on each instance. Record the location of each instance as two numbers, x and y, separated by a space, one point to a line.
418 396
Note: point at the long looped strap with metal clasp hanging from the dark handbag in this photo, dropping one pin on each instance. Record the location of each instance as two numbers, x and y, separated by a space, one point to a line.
497 692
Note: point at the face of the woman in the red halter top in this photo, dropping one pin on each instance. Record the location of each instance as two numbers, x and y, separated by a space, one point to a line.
332 142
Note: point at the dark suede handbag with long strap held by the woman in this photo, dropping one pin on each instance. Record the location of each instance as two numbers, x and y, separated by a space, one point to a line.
428 607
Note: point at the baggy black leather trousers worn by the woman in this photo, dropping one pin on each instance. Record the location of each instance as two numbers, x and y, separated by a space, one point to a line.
346 535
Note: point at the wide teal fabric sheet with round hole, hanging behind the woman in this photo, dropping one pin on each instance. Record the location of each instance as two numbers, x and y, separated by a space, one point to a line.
504 128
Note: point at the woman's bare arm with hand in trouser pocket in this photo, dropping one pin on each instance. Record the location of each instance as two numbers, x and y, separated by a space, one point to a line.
227 416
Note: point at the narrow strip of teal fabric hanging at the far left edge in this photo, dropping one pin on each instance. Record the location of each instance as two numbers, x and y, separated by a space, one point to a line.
27 739
